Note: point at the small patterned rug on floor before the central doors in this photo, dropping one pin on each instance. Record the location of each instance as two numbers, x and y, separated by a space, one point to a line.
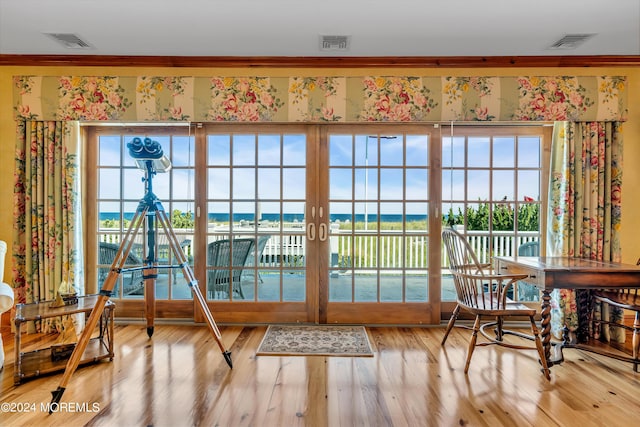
315 340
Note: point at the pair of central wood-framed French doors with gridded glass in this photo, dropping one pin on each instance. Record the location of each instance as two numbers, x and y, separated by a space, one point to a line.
343 214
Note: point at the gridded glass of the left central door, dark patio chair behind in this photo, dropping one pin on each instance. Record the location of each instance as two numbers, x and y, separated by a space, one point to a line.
256 216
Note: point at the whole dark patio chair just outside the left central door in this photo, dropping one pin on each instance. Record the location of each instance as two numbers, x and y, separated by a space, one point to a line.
227 259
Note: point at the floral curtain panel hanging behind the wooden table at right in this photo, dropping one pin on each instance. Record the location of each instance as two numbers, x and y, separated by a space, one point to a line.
584 212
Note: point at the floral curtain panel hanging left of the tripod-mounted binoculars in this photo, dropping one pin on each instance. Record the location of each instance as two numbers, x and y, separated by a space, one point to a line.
47 244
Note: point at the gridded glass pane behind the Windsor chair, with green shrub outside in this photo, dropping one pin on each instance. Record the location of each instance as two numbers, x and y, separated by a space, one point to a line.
492 192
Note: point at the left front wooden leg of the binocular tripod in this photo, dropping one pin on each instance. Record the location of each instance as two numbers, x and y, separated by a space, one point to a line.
105 293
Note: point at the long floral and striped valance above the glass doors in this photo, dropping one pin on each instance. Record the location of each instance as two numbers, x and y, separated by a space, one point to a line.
321 99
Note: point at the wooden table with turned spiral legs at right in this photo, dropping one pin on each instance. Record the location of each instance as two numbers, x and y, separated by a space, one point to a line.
549 273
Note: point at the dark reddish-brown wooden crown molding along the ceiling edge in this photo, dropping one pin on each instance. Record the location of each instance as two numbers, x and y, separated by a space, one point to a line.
320 62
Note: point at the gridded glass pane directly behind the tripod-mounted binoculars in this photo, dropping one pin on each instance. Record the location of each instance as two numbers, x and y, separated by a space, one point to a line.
120 188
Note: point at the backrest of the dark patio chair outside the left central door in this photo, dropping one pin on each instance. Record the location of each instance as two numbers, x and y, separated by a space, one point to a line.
223 254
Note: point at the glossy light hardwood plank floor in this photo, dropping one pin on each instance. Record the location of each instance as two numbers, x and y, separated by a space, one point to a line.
179 378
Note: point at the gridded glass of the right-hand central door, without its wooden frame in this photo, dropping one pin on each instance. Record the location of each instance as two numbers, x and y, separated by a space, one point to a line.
378 203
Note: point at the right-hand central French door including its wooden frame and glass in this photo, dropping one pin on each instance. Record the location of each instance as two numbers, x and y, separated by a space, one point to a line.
378 191
